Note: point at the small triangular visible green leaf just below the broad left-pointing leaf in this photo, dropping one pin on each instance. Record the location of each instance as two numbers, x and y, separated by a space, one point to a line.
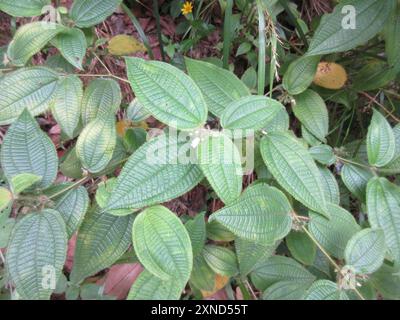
250 253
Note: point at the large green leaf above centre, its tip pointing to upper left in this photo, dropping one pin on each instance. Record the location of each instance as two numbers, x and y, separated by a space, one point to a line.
168 93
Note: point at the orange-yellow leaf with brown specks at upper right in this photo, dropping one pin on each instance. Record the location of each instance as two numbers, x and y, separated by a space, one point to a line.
330 76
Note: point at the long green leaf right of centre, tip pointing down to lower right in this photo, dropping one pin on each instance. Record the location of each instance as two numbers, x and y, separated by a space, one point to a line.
294 169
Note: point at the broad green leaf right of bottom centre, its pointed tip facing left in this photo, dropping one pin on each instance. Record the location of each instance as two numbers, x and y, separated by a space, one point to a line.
261 214
